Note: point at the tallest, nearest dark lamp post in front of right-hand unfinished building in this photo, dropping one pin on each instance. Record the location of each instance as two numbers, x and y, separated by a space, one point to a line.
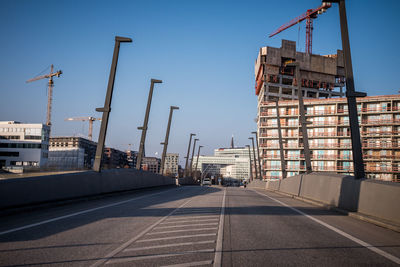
351 94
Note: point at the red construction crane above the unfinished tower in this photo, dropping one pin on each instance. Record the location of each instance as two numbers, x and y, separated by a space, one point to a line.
309 15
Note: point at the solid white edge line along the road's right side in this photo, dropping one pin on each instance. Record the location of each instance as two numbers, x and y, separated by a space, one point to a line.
352 238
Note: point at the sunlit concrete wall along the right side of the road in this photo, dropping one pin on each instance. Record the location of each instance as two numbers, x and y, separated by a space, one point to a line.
378 199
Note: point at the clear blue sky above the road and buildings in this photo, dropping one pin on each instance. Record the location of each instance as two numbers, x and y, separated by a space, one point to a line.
204 51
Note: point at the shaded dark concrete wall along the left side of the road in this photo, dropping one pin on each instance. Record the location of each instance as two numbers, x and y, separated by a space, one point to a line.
34 190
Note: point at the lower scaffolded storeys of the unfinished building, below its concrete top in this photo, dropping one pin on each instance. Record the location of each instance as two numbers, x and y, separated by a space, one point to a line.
329 136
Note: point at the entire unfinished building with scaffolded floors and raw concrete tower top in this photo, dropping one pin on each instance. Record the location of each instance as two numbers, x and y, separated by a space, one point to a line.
322 80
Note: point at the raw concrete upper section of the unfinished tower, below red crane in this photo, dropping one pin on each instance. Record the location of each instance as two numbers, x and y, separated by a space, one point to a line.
321 76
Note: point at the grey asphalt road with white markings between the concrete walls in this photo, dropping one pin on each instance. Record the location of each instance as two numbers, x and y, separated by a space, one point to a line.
193 226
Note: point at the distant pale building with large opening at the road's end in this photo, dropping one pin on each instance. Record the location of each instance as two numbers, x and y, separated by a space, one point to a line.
227 162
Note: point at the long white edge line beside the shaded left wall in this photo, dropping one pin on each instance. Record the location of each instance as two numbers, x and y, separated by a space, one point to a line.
78 213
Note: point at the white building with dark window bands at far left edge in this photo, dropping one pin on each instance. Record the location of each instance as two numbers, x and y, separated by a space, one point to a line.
23 144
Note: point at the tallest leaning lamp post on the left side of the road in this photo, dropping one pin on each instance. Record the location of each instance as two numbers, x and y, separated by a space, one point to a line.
107 104
